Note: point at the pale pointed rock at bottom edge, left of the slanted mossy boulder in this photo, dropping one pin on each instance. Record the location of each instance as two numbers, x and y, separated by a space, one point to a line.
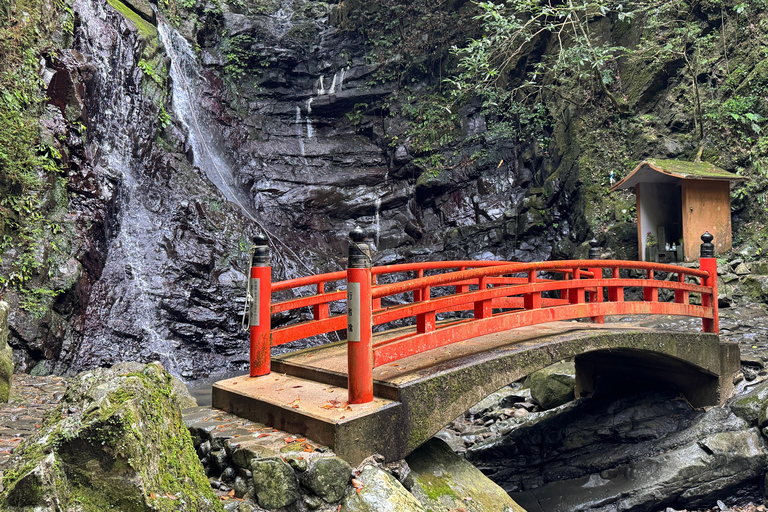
380 492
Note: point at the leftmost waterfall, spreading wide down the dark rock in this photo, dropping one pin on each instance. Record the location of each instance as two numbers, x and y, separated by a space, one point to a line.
124 301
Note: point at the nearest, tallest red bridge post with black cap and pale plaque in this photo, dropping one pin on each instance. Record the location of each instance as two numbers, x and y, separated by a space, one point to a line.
359 320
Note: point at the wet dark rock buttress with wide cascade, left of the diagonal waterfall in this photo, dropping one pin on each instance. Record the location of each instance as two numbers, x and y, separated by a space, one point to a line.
160 258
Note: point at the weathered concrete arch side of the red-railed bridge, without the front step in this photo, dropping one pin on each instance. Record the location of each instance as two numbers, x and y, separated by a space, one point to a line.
699 364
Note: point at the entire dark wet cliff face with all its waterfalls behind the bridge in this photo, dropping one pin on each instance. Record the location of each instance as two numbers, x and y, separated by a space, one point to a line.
286 127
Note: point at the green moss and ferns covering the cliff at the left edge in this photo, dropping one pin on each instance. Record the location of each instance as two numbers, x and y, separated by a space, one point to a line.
28 168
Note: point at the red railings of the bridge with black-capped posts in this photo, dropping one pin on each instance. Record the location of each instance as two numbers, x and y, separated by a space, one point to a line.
484 297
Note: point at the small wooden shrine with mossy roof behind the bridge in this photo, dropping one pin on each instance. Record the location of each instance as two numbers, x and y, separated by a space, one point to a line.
677 201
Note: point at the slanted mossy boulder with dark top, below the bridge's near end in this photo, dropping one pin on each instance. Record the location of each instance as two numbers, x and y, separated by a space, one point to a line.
445 481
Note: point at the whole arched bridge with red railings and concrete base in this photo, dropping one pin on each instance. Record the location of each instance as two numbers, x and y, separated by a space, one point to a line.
425 341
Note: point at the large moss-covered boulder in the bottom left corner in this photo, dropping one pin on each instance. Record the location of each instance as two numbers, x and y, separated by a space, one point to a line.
116 442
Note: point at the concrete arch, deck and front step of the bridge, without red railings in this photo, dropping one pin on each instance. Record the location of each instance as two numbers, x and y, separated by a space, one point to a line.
421 394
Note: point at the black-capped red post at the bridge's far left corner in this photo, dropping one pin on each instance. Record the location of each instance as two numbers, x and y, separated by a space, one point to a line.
260 297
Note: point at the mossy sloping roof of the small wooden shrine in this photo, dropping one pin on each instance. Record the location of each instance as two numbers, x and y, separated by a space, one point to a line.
672 171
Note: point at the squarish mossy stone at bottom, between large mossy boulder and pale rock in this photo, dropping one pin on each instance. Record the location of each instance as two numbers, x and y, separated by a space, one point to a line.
275 483
